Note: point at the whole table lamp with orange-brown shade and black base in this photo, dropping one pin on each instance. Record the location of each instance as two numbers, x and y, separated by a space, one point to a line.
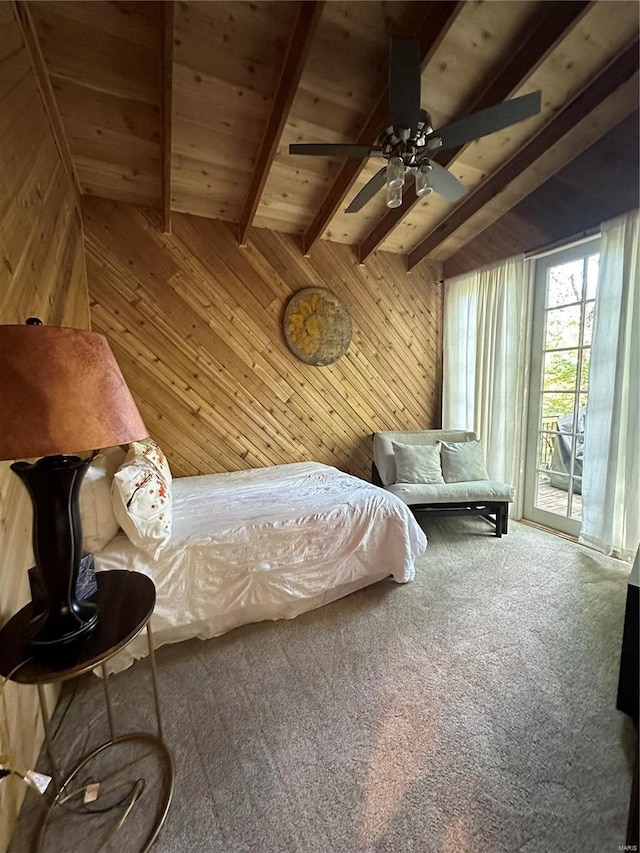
62 393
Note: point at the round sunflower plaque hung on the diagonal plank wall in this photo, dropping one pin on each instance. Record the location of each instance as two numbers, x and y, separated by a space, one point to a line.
317 326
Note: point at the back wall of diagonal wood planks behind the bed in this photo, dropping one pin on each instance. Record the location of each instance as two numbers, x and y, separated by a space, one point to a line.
196 325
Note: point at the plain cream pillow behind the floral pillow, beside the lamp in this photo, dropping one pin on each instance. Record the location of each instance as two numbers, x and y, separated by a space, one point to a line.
99 524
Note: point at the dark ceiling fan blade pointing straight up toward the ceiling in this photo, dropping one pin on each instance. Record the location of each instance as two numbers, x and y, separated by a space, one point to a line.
404 84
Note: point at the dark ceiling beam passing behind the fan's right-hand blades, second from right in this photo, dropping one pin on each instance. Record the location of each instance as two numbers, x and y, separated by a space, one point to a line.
553 22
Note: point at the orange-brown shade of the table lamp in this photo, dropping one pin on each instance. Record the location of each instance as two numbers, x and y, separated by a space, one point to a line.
61 392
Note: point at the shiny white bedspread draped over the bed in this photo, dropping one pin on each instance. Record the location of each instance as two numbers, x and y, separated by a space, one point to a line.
267 543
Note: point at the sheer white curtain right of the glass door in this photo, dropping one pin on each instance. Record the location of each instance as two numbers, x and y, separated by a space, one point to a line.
611 482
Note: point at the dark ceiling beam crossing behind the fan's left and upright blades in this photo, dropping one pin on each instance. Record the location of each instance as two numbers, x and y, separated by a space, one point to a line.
438 18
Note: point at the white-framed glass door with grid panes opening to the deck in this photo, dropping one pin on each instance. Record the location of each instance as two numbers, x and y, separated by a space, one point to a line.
565 290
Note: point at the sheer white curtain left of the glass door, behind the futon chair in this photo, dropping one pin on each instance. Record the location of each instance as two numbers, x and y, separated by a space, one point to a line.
485 363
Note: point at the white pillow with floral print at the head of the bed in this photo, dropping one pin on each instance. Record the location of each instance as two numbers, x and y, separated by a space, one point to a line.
142 502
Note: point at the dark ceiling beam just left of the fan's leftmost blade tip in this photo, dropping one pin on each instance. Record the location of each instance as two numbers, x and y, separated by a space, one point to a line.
308 16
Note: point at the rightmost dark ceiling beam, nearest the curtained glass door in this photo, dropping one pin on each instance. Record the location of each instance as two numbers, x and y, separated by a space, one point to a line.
613 77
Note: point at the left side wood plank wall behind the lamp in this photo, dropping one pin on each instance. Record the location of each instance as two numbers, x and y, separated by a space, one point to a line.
42 273
